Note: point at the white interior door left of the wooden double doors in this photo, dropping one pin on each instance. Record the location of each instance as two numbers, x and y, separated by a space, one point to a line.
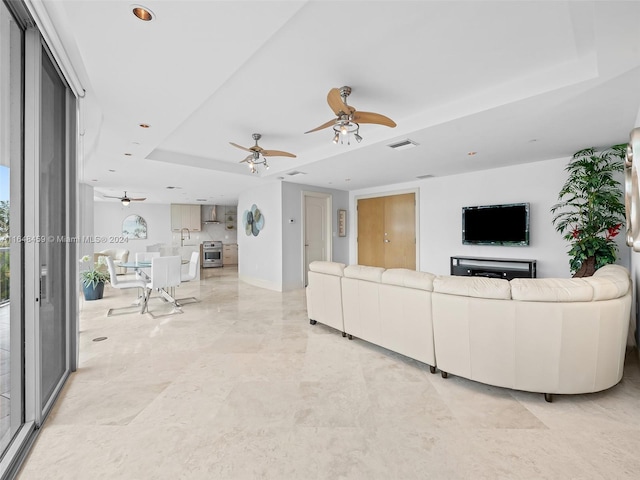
317 230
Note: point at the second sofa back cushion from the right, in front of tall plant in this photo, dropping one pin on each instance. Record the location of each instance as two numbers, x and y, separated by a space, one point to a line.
551 290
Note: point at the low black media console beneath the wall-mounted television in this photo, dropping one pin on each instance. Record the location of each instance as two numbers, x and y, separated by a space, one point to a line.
506 268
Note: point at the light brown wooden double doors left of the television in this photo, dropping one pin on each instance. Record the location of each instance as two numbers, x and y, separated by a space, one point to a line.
387 231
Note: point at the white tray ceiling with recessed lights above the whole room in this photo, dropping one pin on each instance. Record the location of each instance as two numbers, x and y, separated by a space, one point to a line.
515 82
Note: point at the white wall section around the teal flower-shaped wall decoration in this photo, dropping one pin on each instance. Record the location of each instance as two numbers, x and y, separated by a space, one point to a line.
260 257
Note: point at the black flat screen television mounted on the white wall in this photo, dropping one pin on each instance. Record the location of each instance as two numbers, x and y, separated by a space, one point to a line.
496 225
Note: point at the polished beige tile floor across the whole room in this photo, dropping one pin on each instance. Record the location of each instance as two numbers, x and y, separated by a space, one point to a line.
240 386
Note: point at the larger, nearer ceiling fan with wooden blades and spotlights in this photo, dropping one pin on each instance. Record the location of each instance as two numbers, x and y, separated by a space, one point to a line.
348 119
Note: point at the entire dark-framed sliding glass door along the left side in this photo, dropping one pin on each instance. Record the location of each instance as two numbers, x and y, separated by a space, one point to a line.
38 287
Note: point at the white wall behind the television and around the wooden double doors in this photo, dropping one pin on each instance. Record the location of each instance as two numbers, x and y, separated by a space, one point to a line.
440 215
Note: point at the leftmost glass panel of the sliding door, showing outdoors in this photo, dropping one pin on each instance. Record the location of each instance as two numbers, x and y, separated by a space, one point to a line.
11 194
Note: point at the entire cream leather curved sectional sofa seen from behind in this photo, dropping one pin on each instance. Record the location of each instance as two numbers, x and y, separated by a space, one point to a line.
552 336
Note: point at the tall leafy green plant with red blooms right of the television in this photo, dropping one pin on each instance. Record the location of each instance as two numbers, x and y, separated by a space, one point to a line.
591 211
